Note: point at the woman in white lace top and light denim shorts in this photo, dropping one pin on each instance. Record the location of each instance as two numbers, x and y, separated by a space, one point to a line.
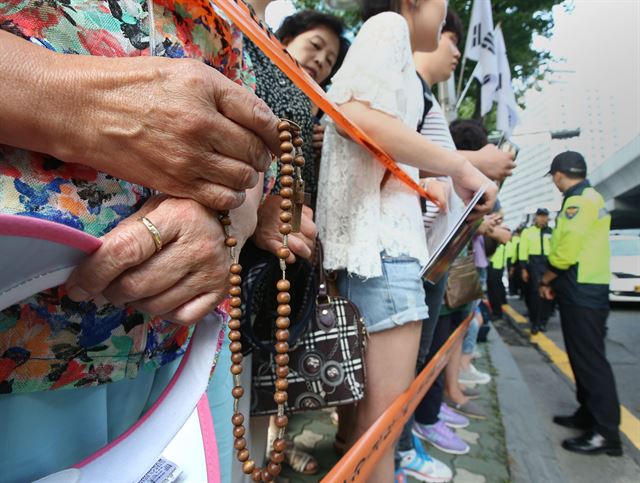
373 236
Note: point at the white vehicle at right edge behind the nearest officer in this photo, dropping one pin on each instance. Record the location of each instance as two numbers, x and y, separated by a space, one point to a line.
625 266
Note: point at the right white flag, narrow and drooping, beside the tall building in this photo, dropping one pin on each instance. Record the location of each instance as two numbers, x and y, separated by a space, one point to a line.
508 116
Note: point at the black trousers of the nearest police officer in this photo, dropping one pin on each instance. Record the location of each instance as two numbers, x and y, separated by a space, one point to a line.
583 330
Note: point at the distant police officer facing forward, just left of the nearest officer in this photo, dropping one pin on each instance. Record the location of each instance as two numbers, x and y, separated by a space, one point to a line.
535 242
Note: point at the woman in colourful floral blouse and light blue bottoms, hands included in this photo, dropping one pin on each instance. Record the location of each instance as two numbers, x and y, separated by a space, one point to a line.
83 140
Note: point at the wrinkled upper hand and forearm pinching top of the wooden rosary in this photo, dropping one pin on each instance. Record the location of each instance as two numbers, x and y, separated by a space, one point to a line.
175 125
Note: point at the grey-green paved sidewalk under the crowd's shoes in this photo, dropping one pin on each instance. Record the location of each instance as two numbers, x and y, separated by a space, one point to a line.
488 460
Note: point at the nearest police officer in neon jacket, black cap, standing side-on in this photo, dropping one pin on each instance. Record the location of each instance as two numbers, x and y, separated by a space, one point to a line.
579 278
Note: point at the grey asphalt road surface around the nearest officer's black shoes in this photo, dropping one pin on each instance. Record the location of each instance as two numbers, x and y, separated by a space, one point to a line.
553 393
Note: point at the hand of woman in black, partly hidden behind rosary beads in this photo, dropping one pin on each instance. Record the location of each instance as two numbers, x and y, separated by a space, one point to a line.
268 238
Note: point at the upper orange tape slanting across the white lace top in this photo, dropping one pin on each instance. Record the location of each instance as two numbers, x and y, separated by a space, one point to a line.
252 27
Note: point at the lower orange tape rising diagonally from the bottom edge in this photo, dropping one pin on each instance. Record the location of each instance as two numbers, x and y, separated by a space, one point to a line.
358 463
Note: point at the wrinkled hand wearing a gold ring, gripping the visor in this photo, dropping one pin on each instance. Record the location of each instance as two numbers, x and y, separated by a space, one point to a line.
182 282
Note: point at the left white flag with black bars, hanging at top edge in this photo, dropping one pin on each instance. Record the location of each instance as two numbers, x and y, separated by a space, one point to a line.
481 48
